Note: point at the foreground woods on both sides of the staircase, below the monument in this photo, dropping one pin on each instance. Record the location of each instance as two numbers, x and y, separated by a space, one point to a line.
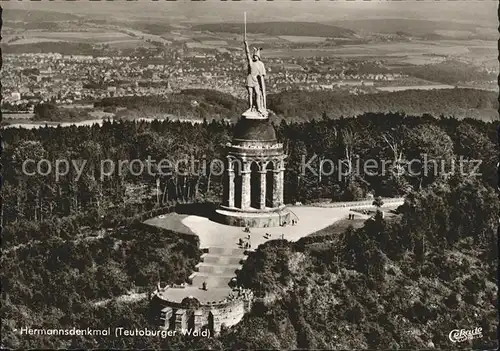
402 284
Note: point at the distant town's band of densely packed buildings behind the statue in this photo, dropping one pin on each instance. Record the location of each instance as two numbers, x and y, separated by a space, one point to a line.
33 78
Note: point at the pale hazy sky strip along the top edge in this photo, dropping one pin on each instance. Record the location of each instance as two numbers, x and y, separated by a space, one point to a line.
471 11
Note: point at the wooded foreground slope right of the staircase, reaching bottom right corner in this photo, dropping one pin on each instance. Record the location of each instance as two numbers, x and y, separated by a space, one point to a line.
384 286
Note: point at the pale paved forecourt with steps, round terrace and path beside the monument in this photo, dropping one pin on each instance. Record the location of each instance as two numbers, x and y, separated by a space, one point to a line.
224 257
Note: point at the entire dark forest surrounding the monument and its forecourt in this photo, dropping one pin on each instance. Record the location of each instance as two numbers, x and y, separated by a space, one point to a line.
68 244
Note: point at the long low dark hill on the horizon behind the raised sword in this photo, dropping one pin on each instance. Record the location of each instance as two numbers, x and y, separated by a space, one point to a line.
280 28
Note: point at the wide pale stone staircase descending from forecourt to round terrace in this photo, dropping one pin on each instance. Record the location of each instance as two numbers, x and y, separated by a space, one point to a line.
217 267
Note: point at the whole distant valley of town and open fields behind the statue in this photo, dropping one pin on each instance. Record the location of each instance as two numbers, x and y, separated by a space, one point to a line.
74 62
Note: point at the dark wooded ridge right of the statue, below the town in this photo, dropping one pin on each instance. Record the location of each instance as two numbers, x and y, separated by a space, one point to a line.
459 103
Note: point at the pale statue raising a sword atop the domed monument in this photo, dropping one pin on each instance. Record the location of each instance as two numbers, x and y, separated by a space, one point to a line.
255 83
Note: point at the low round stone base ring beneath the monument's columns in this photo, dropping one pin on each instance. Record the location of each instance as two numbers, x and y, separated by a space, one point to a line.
253 219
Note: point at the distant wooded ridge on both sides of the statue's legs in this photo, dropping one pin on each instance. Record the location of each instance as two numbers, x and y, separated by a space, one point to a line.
302 106
